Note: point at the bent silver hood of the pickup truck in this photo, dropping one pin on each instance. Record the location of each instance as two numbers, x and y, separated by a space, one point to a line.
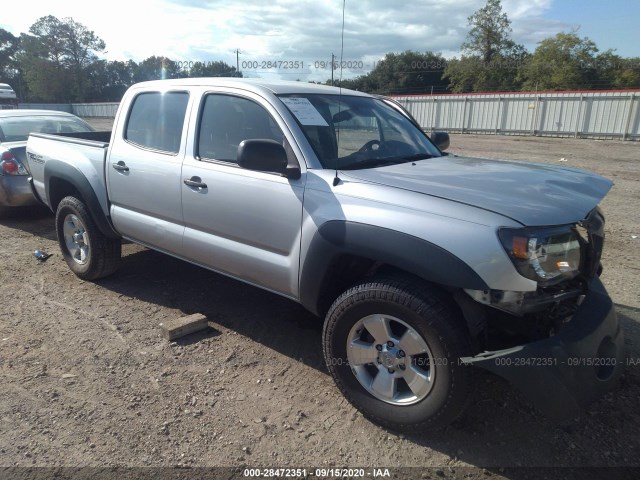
529 193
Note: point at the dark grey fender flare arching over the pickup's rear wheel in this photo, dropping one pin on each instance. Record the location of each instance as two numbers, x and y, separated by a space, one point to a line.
56 169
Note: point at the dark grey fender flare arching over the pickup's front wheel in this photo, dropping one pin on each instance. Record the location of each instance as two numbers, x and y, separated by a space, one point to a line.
400 250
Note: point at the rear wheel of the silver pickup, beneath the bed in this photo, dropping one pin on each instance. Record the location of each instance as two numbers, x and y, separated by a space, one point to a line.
89 253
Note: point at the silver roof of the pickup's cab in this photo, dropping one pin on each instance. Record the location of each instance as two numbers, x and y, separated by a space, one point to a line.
258 85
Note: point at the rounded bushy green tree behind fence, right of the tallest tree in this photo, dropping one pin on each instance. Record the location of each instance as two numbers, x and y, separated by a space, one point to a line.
563 62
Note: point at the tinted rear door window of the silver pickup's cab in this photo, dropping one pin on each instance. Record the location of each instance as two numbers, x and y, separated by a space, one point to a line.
156 120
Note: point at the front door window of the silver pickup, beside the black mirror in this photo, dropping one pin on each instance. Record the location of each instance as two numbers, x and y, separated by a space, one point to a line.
226 121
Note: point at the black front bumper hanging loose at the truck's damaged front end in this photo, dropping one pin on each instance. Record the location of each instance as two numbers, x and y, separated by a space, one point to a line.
563 374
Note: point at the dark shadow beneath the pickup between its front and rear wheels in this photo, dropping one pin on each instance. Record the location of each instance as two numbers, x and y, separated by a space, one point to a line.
255 313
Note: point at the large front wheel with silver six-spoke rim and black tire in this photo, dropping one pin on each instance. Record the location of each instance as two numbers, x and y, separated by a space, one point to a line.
393 346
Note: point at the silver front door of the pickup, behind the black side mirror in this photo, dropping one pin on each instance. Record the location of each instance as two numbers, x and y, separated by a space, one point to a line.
240 222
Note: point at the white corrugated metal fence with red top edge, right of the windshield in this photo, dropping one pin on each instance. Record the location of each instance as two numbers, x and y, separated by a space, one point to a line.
604 115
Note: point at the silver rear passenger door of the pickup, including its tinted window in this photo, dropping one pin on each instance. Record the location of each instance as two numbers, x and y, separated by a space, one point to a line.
144 170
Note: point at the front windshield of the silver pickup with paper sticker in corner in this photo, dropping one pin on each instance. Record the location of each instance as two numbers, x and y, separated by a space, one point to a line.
353 132
